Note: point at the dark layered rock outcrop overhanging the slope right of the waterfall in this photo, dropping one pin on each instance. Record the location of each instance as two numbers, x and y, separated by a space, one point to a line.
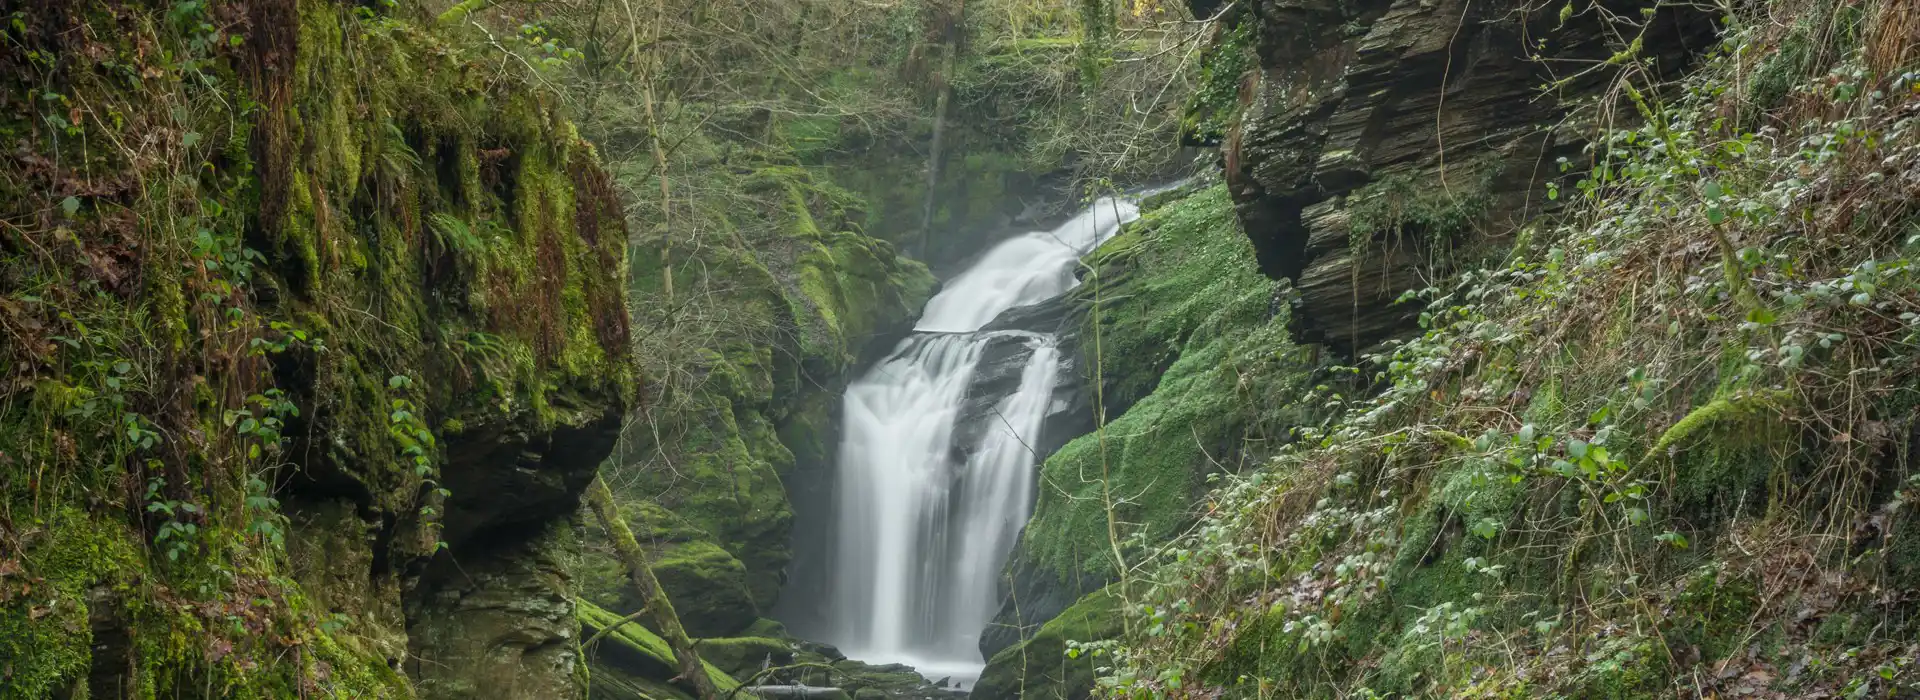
1385 141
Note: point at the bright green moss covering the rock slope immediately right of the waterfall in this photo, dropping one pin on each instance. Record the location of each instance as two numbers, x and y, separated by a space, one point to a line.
1184 329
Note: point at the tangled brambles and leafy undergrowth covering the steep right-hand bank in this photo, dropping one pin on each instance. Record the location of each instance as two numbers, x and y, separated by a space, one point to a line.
1662 452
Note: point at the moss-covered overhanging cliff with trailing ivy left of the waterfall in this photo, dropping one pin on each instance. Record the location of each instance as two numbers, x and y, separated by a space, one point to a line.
316 333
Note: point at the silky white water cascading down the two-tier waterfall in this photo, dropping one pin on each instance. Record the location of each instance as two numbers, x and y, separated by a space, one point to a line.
921 534
